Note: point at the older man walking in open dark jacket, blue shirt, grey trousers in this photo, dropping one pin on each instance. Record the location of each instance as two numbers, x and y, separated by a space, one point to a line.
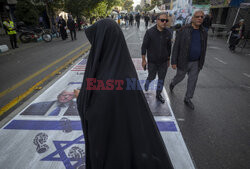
189 55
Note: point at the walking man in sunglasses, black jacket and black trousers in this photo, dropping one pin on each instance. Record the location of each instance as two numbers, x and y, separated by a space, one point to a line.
157 45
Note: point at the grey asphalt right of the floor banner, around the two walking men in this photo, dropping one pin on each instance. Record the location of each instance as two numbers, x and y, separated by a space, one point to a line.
217 131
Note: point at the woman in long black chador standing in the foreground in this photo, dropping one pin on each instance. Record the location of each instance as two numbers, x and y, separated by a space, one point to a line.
119 128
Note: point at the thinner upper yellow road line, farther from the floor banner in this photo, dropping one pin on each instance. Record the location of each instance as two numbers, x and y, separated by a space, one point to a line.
38 72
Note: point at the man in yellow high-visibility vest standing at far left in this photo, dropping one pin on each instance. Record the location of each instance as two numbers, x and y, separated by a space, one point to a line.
11 31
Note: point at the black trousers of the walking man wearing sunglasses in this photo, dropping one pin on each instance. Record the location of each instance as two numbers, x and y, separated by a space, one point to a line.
161 70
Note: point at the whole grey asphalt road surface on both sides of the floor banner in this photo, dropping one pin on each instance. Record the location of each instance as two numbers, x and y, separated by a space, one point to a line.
216 132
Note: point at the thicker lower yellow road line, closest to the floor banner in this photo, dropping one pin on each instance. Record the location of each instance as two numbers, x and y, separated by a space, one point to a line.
30 90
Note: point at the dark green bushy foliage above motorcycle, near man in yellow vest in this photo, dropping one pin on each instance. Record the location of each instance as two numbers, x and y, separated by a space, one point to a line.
26 12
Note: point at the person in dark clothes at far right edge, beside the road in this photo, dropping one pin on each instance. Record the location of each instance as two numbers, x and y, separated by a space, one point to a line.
238 31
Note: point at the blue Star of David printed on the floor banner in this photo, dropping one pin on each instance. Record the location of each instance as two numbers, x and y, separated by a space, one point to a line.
63 157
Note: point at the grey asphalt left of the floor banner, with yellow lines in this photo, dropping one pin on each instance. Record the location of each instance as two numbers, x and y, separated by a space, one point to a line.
31 63
